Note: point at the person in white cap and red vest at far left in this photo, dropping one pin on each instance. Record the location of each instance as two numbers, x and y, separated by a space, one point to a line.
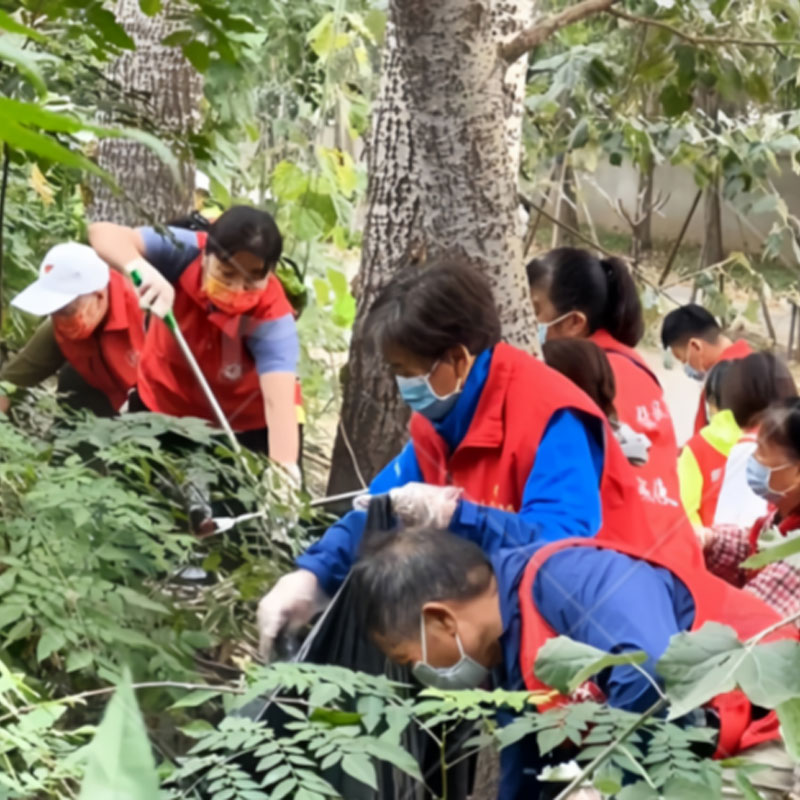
94 334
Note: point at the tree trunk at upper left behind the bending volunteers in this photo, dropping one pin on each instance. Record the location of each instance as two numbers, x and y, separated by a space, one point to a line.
165 92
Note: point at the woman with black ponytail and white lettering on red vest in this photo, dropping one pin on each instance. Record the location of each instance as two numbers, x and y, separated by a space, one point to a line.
577 295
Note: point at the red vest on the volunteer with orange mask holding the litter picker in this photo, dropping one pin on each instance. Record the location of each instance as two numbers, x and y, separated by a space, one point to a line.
167 384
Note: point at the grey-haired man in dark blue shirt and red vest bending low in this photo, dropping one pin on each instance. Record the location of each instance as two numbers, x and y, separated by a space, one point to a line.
460 619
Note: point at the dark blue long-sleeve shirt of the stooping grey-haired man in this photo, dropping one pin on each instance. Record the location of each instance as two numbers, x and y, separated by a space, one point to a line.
598 597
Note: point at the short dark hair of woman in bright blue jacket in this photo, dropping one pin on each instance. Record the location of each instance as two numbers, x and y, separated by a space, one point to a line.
428 311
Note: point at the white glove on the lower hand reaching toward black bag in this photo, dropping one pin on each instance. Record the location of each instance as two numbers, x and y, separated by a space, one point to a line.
289 605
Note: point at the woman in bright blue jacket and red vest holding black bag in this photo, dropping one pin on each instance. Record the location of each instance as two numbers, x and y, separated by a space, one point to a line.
502 448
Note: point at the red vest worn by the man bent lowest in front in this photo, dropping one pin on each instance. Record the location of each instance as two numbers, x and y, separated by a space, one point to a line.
715 600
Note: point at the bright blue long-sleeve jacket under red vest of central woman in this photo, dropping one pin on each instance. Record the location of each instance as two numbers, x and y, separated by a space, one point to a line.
561 496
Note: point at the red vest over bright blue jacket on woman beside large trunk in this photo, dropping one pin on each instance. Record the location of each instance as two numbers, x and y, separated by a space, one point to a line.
494 460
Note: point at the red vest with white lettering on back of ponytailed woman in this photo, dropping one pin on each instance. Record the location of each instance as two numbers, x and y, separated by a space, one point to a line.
640 404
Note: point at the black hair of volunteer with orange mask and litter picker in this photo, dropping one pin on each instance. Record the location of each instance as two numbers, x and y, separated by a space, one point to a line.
243 228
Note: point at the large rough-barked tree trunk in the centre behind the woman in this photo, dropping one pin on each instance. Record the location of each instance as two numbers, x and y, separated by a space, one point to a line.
442 183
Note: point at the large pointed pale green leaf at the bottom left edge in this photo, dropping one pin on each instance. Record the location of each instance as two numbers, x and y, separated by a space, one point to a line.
120 763
